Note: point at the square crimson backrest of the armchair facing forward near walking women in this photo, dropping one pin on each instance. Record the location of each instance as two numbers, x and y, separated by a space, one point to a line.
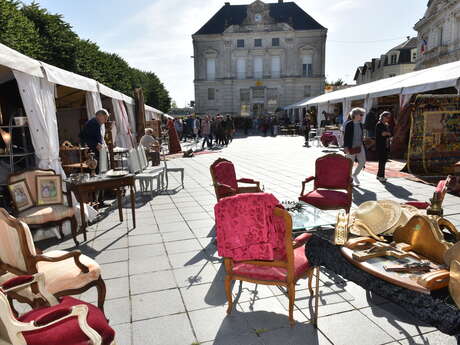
333 172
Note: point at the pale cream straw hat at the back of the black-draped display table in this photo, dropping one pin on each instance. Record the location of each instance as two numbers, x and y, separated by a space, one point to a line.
379 216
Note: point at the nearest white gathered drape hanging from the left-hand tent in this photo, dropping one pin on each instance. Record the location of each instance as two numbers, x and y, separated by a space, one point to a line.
37 95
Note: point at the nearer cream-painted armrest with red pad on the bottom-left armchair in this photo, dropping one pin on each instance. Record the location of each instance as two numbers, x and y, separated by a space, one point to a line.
59 315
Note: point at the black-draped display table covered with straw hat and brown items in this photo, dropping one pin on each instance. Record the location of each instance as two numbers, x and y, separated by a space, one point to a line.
409 263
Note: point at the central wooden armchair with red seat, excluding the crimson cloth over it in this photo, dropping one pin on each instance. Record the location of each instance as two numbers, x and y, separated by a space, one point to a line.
285 270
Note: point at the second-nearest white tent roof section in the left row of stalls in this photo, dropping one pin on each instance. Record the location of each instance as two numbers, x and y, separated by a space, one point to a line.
62 77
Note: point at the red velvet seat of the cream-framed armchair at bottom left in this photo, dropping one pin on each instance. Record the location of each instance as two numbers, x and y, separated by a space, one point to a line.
67 331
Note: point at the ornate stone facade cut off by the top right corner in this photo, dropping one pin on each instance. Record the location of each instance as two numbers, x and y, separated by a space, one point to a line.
439 34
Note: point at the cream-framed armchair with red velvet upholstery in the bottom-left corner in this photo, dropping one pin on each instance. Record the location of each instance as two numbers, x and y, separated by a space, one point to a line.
67 321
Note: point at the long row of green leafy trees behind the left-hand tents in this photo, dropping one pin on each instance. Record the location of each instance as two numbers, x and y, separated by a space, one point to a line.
35 32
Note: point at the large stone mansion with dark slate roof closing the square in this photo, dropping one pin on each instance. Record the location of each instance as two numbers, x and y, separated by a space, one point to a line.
254 59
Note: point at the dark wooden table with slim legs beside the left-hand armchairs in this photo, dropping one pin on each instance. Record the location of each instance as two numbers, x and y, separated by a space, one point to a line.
83 190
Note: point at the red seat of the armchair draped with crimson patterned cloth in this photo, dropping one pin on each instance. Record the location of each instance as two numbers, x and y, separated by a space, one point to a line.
301 265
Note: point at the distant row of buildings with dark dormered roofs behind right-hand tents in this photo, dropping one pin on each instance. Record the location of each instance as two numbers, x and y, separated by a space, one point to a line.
398 60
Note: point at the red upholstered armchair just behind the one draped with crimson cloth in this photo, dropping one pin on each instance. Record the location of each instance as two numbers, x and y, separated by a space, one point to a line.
225 182
